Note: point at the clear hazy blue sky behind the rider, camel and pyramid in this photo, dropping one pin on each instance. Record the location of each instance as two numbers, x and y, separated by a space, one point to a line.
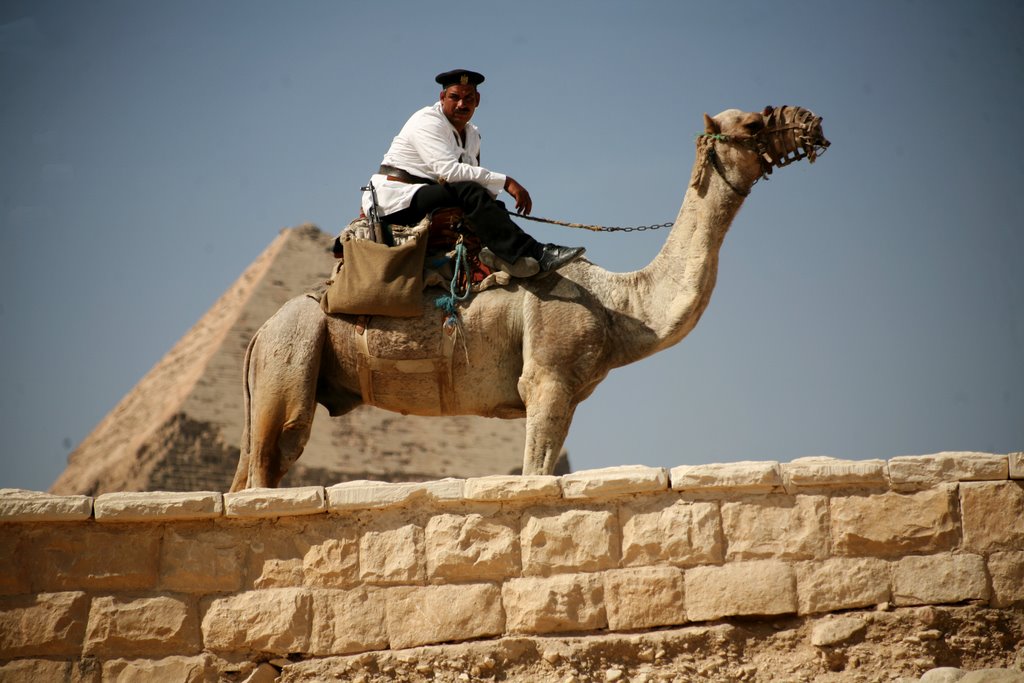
870 306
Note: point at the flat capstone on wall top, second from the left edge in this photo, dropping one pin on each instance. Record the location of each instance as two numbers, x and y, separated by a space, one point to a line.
158 506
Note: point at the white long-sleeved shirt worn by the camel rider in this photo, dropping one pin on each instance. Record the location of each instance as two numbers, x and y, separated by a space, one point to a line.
430 147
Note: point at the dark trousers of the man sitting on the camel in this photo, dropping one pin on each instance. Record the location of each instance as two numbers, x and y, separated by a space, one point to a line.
486 216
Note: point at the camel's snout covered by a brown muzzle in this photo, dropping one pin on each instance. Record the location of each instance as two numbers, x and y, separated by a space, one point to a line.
791 134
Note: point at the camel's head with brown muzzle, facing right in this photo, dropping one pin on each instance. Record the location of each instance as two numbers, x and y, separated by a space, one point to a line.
776 137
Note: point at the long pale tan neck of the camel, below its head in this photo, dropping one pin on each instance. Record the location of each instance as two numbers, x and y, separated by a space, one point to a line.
667 298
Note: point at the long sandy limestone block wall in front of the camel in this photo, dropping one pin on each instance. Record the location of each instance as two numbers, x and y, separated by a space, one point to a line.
204 586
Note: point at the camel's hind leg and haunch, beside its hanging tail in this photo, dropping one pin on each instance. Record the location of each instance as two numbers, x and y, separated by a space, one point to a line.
282 369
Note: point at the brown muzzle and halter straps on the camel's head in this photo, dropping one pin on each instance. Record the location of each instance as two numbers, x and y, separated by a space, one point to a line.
789 135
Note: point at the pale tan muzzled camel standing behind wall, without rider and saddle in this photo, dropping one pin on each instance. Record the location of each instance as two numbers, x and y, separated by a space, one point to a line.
535 349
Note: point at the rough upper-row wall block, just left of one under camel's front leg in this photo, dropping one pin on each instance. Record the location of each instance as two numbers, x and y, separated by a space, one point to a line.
472 548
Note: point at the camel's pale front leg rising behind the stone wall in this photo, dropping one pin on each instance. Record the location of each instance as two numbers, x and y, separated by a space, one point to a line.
549 413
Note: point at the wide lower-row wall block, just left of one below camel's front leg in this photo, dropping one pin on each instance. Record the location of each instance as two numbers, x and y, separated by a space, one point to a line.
443 614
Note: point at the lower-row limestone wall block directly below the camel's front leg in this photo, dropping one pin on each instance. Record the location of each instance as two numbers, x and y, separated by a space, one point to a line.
566 603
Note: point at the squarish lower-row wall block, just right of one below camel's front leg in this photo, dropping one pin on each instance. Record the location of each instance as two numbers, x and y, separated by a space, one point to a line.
645 597
